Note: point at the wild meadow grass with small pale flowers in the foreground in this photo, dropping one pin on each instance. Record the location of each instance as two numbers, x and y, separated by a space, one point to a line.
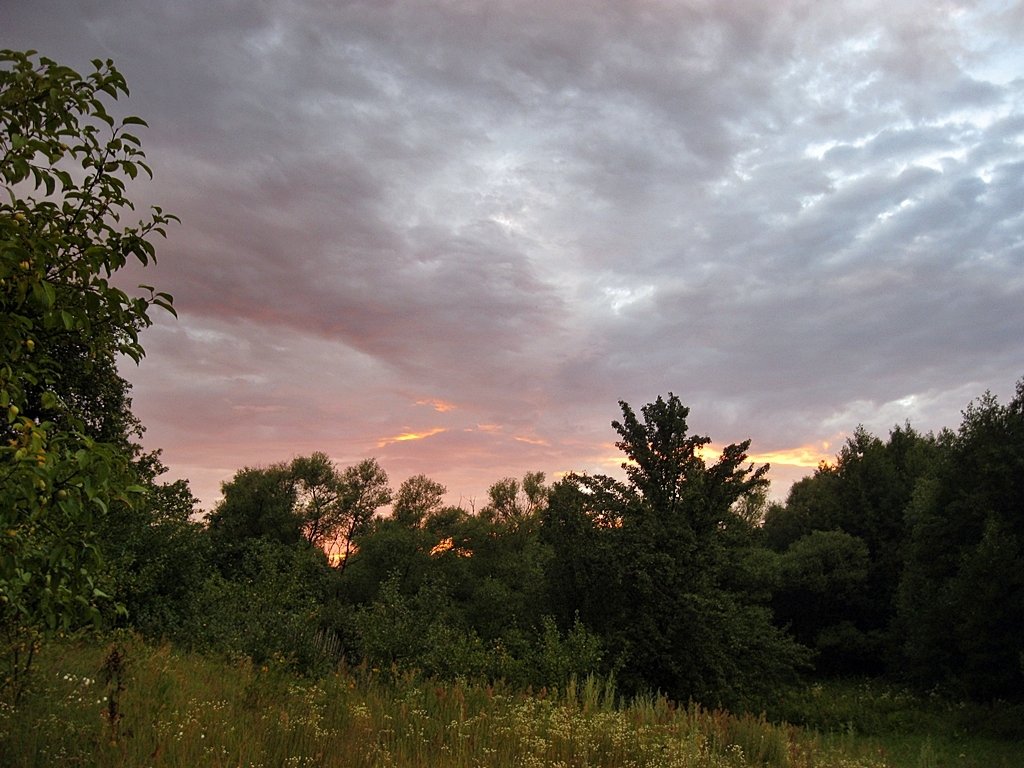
137 705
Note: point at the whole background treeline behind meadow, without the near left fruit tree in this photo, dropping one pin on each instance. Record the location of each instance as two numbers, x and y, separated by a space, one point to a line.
903 559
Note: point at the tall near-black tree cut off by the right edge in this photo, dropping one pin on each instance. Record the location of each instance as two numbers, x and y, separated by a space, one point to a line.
962 593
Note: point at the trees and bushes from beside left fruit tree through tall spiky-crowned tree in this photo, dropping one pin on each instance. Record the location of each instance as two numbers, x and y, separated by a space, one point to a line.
660 580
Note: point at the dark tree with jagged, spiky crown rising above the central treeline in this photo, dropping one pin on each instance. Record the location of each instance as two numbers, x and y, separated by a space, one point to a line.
675 623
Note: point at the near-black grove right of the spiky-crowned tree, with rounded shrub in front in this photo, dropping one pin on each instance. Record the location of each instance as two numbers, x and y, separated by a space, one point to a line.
906 558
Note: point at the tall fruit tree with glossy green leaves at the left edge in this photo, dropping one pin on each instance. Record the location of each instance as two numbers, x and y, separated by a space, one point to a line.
65 165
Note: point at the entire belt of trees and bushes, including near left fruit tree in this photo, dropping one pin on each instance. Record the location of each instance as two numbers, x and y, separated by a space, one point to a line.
904 559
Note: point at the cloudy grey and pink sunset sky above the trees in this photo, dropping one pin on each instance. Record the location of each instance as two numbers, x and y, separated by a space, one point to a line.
452 235
